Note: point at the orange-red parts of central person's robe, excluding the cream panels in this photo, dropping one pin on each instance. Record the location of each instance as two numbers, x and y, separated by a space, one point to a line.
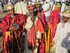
32 32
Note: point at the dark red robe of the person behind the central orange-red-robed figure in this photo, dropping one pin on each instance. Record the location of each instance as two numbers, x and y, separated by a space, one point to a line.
45 25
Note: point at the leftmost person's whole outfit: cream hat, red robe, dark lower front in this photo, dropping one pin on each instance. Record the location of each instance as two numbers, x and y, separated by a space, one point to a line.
11 38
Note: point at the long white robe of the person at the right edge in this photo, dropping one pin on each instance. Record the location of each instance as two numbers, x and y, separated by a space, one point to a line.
61 33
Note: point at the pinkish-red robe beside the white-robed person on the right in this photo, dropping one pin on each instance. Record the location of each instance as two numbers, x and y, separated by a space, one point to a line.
53 20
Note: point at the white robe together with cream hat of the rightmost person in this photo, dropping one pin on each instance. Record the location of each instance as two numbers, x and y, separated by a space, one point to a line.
61 34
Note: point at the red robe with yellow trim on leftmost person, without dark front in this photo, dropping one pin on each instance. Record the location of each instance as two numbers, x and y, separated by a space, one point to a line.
7 23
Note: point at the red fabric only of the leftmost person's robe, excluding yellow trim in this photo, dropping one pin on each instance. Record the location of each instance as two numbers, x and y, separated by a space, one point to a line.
18 18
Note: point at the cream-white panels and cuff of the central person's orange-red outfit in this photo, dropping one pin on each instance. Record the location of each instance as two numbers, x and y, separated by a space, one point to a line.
28 26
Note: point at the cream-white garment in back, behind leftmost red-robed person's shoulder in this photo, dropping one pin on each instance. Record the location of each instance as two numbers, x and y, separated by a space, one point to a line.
21 8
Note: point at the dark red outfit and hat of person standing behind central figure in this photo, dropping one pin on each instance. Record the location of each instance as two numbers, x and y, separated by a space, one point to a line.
42 17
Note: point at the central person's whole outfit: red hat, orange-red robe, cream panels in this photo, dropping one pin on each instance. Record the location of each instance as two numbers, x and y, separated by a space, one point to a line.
35 30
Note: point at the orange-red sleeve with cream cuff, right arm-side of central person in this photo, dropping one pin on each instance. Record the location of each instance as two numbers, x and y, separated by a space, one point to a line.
40 29
